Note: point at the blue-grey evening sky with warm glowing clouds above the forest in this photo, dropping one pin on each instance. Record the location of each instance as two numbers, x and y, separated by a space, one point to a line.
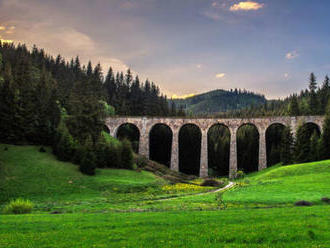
184 46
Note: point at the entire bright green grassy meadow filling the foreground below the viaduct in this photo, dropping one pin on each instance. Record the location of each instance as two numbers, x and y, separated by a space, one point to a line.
119 208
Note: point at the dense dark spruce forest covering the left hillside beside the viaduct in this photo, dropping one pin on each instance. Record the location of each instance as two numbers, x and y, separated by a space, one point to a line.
49 101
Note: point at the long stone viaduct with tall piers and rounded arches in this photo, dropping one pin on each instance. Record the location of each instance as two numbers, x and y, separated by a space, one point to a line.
145 124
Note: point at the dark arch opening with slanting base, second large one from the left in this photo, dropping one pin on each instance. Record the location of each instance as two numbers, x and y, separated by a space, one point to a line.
160 144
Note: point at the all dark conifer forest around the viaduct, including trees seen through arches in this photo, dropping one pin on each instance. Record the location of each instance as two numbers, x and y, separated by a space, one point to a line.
49 101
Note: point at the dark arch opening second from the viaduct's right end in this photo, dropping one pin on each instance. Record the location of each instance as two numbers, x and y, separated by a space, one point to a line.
274 135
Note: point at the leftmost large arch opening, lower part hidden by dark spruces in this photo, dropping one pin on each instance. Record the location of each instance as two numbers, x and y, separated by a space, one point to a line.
130 132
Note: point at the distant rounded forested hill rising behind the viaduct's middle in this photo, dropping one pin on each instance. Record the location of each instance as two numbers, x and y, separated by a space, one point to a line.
217 101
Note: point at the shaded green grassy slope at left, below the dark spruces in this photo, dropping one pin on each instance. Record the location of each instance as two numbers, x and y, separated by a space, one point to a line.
39 176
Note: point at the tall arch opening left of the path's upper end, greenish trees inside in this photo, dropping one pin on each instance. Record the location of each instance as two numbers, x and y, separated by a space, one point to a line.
218 146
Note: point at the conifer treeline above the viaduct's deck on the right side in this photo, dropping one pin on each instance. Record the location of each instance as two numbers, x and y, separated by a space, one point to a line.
311 101
